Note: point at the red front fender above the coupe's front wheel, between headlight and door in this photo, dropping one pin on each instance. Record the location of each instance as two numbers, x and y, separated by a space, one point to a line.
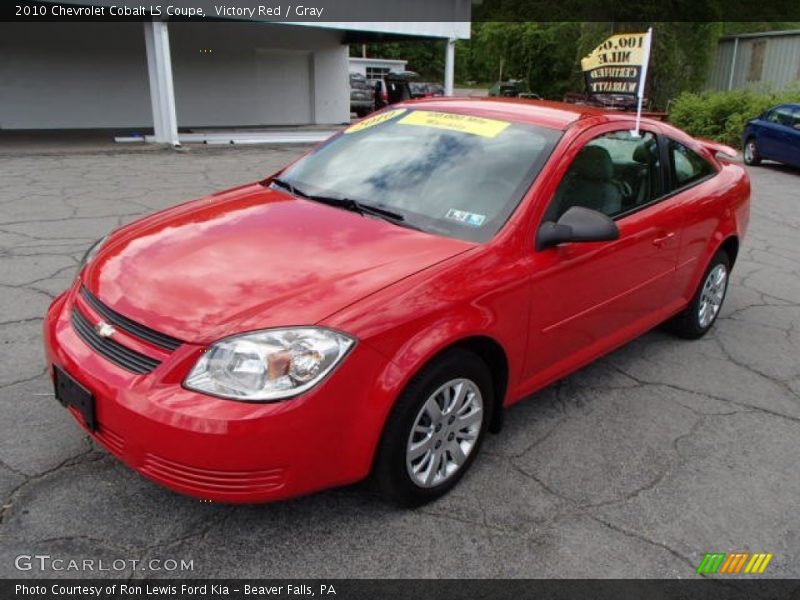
443 319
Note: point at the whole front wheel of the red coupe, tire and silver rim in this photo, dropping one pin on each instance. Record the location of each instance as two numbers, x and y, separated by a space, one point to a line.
435 429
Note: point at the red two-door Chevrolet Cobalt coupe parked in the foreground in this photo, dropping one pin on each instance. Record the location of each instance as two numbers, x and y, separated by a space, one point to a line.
373 307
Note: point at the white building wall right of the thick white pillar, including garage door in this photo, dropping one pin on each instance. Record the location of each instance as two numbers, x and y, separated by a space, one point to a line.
227 85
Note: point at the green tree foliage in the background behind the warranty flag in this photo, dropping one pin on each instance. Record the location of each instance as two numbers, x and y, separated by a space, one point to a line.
547 54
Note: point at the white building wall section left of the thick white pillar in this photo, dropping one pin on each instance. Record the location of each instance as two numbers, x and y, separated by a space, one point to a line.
55 75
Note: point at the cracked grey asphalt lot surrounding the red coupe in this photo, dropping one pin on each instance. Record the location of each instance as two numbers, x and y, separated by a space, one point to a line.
634 467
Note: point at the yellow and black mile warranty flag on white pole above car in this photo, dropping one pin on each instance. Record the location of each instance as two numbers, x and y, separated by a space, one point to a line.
618 65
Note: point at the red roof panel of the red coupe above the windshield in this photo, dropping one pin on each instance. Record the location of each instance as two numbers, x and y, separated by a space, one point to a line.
553 115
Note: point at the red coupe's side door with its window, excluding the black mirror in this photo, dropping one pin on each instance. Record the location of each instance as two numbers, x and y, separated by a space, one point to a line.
589 297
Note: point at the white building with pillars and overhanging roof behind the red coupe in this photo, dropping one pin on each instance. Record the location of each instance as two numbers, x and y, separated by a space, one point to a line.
129 75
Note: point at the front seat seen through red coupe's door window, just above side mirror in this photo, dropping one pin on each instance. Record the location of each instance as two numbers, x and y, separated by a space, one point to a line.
589 183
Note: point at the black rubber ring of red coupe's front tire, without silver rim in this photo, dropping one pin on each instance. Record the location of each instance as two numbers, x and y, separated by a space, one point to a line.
390 471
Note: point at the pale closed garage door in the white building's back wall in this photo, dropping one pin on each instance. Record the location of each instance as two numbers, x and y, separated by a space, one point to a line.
284 87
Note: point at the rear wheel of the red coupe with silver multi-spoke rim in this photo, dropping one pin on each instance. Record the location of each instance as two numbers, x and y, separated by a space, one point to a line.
702 312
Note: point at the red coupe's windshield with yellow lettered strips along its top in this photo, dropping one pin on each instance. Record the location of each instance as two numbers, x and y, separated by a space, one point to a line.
445 173
